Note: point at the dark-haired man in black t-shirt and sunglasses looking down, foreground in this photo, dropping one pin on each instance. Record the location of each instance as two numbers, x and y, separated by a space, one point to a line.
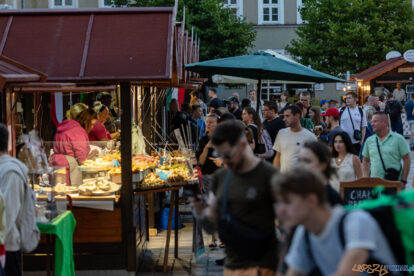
240 205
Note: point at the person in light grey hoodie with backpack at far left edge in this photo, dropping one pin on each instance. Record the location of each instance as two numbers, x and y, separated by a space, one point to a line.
22 233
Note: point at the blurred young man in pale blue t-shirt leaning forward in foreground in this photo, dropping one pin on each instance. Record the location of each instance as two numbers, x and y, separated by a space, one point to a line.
318 241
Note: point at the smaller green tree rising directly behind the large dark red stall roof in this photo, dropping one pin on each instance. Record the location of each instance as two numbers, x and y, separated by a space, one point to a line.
222 34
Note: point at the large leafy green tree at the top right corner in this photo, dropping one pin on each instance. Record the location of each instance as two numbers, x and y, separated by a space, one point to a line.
342 35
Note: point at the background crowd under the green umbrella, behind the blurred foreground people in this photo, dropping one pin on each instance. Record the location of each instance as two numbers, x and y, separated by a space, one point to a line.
279 129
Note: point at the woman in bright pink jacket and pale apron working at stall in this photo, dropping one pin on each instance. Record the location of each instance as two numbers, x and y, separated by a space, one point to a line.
71 145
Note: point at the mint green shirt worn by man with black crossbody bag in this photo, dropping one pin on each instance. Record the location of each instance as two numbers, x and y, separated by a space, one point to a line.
393 148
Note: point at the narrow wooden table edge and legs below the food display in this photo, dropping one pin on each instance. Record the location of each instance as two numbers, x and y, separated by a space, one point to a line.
174 200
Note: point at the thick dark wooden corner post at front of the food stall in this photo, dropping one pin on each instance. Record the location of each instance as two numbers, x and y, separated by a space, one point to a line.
128 230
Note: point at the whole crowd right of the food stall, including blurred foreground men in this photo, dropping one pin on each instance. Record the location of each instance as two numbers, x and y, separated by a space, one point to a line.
288 164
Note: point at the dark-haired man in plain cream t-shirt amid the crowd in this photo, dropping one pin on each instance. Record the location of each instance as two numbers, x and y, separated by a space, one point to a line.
289 140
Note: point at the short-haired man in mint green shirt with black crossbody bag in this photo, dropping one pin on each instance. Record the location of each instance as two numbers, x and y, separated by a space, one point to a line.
384 151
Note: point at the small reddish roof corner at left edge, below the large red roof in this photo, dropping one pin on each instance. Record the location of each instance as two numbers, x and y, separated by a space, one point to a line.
13 71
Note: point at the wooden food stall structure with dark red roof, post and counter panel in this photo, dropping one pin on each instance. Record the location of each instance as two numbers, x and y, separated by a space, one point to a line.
132 50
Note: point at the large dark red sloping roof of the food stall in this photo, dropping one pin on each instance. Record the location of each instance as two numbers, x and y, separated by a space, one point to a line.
91 45
